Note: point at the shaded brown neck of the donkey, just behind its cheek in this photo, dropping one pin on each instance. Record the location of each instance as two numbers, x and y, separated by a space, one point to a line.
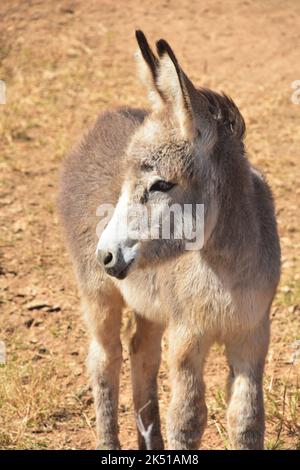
232 188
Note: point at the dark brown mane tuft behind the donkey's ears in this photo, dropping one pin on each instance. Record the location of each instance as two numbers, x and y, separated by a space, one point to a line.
223 109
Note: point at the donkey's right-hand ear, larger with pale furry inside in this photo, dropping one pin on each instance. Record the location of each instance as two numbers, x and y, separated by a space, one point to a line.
176 89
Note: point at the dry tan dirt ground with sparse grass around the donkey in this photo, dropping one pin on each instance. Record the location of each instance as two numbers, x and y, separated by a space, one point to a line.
63 62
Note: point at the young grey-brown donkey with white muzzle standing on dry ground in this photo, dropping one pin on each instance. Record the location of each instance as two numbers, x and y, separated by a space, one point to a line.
187 149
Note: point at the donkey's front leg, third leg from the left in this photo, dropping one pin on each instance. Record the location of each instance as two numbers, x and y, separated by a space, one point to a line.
187 414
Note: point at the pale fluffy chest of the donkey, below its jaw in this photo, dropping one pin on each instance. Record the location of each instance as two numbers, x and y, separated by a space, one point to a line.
193 295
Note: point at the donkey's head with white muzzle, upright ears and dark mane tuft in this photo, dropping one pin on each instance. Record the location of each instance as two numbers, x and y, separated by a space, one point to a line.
169 177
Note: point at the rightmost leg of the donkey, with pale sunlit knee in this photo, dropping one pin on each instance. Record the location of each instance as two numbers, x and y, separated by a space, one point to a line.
245 416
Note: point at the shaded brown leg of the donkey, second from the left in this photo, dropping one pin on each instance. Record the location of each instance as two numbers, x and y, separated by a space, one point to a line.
145 352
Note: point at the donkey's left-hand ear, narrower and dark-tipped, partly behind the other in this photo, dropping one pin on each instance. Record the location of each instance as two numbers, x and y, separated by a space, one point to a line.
148 67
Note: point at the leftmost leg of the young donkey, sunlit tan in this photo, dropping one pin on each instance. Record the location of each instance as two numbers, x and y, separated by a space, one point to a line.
103 313
